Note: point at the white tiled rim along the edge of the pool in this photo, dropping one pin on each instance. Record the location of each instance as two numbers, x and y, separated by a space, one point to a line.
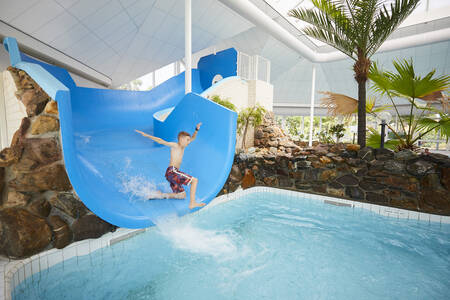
12 273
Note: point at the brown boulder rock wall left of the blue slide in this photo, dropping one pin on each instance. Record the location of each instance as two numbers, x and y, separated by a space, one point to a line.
38 208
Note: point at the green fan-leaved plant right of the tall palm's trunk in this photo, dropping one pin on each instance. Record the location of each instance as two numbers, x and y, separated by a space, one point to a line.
405 83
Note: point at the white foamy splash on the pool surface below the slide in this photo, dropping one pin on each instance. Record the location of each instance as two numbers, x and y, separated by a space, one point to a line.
185 236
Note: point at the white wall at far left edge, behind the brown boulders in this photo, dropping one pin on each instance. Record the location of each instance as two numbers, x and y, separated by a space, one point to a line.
12 111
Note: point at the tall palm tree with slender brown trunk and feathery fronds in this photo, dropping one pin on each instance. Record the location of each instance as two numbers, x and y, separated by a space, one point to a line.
357 28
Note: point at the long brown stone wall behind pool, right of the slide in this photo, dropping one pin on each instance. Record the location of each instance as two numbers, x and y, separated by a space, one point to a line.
404 179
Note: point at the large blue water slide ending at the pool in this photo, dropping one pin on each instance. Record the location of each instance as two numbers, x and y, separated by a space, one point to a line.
111 167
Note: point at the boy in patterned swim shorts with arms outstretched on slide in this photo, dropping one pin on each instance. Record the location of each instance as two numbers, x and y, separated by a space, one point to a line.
175 177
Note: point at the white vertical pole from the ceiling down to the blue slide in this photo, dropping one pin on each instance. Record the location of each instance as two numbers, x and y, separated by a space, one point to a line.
188 45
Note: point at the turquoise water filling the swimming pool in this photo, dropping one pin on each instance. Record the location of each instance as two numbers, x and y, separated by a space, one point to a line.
262 246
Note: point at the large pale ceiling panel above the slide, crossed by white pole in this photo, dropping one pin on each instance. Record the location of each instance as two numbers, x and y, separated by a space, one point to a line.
123 39
